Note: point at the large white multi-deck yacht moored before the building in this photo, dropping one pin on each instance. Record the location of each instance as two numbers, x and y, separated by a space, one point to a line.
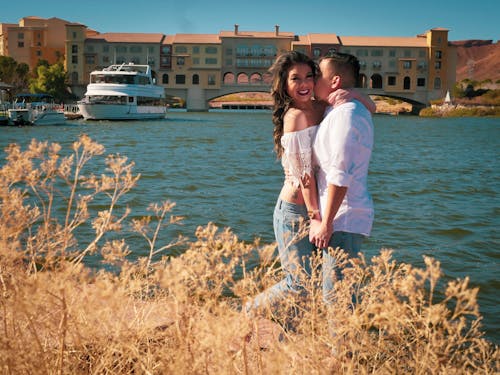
123 92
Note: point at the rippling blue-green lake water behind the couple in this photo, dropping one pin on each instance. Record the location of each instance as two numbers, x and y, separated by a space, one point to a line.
435 183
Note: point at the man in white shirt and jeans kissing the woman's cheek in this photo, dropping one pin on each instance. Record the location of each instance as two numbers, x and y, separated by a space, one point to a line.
342 151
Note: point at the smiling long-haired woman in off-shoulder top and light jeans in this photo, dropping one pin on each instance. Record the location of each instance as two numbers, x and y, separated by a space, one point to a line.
295 117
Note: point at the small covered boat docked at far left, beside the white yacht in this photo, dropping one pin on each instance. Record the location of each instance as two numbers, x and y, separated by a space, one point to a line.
35 109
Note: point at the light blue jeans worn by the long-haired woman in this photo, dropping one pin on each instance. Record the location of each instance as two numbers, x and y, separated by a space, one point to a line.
295 253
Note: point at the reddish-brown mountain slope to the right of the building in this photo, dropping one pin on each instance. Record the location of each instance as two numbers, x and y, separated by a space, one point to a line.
478 60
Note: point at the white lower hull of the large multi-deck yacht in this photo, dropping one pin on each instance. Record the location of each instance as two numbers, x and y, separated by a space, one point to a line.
92 111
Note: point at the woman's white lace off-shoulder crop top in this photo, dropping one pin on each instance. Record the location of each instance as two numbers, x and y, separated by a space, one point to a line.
297 154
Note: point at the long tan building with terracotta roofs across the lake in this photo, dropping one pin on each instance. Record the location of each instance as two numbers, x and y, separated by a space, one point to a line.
199 67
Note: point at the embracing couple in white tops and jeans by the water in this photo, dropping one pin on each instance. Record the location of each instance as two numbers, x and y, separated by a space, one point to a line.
323 134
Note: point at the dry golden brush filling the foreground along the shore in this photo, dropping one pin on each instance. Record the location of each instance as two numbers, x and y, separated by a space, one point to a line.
162 315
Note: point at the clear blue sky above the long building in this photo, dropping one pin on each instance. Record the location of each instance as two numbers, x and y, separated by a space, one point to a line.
465 19
